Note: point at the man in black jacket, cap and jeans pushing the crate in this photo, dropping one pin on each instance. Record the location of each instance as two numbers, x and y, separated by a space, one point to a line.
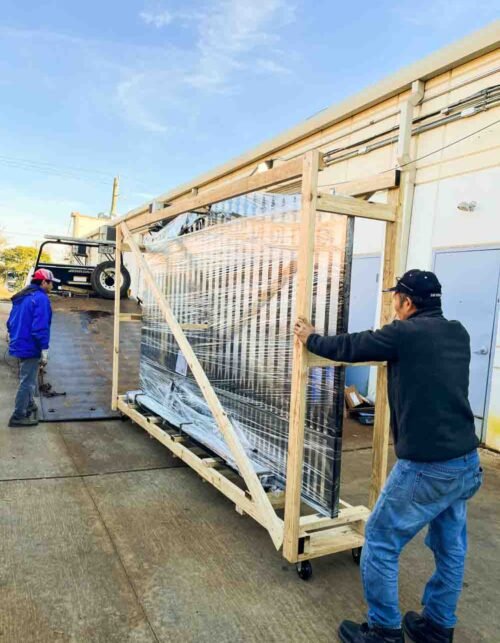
437 469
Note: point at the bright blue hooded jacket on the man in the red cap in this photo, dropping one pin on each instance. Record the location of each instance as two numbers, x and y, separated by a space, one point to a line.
29 322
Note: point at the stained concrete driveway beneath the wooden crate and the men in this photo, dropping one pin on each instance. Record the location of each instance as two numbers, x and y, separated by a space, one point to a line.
105 538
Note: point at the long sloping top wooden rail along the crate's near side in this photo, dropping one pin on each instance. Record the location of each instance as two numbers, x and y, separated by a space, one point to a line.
289 170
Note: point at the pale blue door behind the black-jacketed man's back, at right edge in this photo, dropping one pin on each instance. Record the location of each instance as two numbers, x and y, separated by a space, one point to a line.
470 290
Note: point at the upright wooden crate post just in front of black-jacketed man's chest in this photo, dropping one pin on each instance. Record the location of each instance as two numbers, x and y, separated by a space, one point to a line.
381 426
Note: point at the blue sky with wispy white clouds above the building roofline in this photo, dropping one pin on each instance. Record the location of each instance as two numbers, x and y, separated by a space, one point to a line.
160 91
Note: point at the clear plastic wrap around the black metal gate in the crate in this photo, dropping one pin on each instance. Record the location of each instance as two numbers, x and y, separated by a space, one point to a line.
230 279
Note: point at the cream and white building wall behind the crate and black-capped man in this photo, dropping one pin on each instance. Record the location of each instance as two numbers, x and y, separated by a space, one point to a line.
463 171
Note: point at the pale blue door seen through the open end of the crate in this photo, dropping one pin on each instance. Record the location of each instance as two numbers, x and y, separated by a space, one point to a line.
362 309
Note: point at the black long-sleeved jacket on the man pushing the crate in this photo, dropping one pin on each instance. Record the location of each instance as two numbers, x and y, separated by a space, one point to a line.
428 381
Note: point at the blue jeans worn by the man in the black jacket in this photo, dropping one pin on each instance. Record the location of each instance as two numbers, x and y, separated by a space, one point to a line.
417 494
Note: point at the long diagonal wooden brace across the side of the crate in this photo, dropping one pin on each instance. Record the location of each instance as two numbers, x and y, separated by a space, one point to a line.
245 466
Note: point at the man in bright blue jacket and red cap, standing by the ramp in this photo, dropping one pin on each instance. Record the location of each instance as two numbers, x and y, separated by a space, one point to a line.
29 336
